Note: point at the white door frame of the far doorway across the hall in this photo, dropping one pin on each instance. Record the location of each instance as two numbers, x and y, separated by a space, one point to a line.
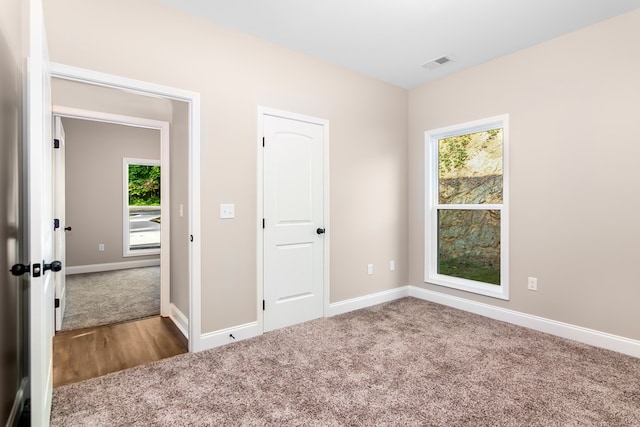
165 196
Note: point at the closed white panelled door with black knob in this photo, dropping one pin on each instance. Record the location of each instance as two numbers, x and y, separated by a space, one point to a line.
294 221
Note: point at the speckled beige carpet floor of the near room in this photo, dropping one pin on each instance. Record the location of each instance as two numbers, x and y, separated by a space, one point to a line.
404 363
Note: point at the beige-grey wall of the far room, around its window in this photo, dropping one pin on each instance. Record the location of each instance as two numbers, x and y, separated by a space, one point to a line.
94 156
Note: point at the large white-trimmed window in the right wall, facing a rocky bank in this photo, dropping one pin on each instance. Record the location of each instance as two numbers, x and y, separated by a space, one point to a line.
466 212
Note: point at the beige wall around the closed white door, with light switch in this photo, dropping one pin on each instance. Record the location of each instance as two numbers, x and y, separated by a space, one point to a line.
234 73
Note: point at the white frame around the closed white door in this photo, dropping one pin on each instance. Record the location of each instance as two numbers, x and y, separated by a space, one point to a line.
266 111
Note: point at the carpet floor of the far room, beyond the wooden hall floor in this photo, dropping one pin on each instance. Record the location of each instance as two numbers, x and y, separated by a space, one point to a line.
108 297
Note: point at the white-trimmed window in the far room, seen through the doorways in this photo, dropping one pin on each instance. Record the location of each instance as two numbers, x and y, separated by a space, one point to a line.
141 201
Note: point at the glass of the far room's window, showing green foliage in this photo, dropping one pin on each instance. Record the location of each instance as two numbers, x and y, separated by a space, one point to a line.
144 207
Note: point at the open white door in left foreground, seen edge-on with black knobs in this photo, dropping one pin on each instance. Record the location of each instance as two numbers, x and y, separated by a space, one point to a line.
39 149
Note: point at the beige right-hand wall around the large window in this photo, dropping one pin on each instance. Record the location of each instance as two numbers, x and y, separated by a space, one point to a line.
573 106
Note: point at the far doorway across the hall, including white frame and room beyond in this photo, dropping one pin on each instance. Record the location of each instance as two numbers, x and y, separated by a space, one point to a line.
112 257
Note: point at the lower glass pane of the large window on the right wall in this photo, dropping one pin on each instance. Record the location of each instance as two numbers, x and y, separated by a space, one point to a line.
469 244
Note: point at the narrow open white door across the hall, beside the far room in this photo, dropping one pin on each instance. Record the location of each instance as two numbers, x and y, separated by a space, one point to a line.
59 213
